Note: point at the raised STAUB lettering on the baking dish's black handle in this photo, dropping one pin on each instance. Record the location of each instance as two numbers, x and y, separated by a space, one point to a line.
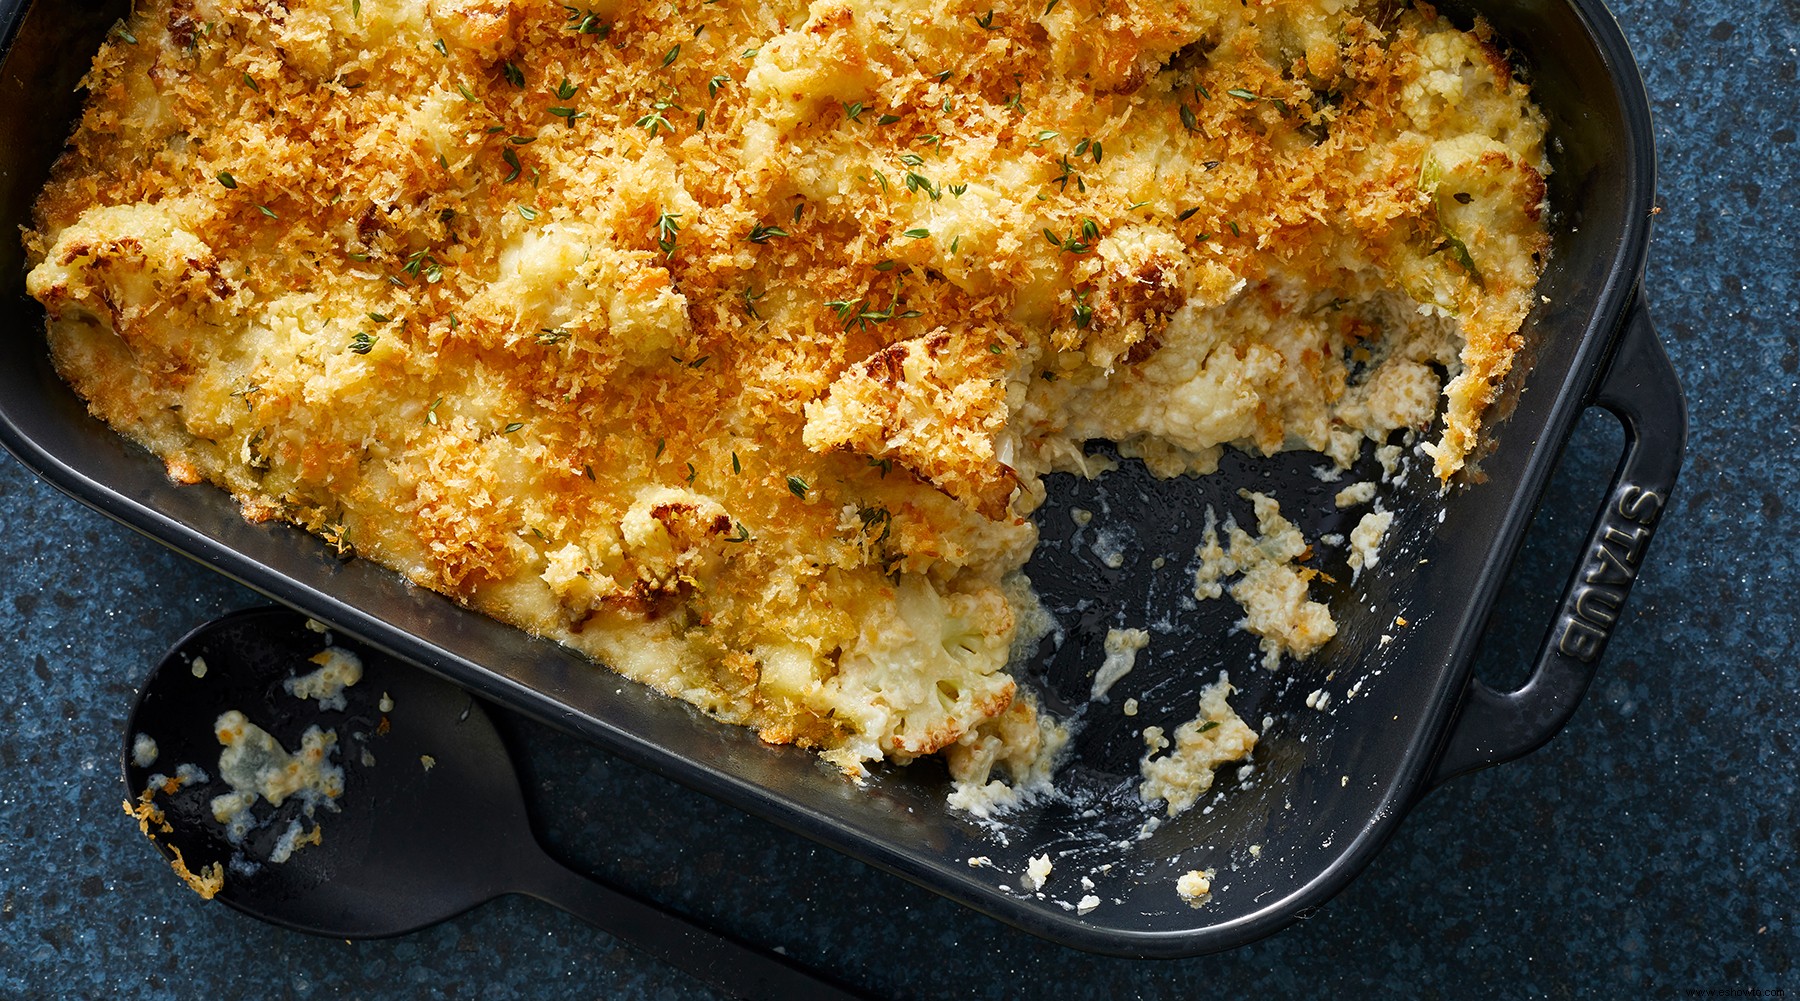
1599 595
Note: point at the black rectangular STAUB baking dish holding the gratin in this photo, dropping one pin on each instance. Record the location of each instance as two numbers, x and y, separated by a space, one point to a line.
1326 789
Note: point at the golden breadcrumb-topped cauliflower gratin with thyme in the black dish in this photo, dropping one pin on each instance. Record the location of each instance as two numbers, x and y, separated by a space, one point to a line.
730 343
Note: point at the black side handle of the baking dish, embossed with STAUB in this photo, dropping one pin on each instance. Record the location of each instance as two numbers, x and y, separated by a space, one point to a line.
1642 392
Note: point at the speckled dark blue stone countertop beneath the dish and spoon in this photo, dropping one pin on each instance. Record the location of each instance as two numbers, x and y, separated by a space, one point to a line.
1648 851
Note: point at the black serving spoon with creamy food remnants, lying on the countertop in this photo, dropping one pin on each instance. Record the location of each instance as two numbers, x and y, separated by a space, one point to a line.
431 824
